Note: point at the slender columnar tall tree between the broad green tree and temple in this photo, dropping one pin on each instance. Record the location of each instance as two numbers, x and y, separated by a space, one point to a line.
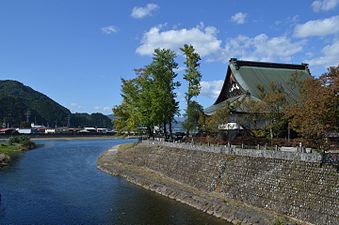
193 77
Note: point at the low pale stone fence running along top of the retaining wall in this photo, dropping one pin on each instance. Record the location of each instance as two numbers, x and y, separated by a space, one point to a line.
232 150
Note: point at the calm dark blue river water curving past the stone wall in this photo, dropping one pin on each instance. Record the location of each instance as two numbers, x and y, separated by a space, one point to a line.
58 183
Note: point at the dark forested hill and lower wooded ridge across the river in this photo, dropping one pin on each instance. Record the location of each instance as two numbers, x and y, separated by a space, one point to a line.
19 102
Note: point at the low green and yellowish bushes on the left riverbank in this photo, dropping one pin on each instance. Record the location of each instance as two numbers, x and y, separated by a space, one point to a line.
13 146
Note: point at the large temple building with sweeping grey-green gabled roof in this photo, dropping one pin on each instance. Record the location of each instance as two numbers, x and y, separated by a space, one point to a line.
243 78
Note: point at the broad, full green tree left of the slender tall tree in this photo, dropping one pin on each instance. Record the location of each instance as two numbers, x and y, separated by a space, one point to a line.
149 99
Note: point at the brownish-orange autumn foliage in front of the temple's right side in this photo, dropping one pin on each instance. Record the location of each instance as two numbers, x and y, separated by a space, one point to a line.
312 113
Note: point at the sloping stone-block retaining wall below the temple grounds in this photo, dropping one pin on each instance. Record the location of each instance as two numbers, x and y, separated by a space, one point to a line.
302 189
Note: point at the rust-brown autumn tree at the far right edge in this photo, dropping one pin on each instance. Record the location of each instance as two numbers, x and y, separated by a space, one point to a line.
317 111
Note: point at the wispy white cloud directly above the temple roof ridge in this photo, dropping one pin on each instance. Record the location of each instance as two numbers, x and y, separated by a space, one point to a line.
261 48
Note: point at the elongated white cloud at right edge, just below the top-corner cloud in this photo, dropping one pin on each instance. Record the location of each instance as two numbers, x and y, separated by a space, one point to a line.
317 27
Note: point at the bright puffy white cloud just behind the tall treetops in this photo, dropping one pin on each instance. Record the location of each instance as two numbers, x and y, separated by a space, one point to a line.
203 39
